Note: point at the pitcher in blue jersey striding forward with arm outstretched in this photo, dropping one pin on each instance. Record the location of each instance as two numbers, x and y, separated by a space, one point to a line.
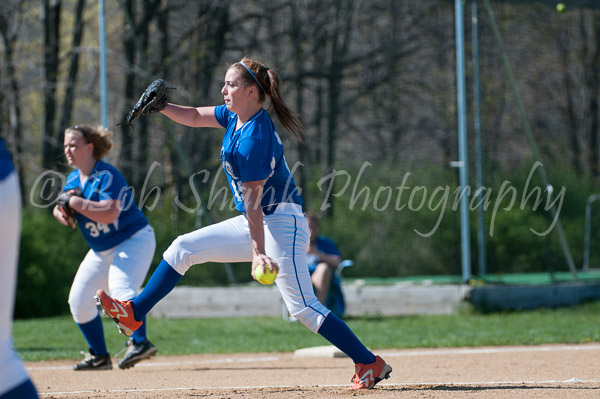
271 231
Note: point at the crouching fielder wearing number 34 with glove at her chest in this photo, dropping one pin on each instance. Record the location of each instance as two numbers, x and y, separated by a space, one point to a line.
97 198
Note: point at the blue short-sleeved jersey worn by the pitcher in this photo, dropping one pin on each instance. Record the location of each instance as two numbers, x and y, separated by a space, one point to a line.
255 152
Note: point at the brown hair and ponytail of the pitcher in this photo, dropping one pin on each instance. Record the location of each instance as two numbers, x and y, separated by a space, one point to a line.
268 82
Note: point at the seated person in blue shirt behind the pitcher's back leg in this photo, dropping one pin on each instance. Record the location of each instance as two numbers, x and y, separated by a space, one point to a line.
323 258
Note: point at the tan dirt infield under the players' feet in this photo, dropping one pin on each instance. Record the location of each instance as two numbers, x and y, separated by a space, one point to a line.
550 371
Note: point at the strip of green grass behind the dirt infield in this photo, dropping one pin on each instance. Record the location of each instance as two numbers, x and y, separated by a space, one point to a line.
59 337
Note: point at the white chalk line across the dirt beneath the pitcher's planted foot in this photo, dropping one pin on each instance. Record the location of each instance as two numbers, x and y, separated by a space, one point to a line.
404 384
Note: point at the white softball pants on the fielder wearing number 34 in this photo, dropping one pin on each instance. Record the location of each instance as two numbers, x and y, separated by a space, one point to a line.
120 271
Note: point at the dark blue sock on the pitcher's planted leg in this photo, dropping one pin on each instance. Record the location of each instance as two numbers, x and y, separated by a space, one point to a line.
339 334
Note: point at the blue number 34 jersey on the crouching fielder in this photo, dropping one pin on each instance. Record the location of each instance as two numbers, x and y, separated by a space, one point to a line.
106 182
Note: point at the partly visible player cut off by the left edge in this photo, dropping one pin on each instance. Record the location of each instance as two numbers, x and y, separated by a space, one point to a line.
14 381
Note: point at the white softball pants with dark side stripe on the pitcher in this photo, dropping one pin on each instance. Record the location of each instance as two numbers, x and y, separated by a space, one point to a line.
286 241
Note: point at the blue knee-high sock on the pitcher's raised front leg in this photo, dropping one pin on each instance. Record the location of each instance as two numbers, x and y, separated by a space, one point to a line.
162 281
